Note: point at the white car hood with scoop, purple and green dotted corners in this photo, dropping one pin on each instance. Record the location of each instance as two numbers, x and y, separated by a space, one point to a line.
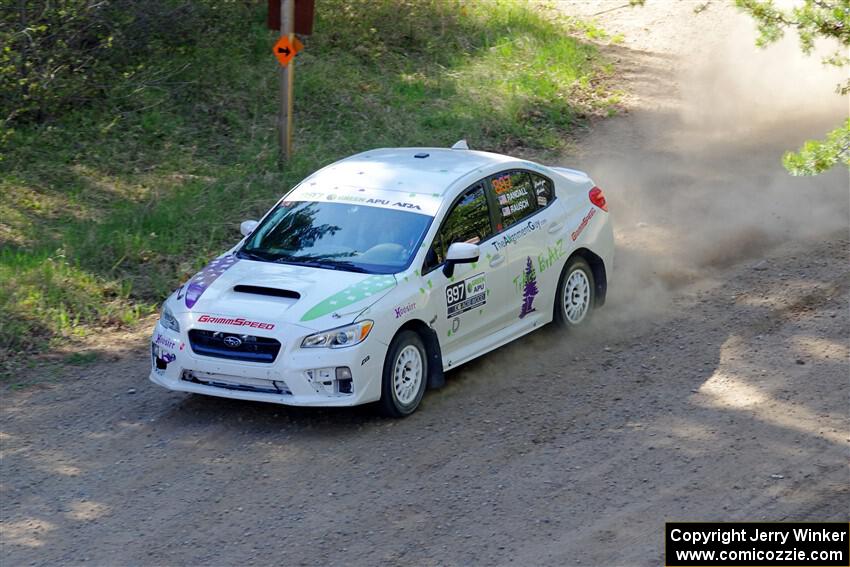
312 297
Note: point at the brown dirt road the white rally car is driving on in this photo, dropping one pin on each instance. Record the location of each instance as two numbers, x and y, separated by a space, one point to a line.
714 385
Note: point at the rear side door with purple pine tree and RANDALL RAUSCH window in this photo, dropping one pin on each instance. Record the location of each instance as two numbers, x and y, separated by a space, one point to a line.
526 223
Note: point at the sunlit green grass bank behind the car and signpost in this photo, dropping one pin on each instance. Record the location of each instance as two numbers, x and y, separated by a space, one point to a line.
108 207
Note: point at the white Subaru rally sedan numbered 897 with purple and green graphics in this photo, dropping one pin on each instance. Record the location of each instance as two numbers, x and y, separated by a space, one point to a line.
379 272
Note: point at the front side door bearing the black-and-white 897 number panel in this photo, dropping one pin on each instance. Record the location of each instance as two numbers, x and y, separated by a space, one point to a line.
466 305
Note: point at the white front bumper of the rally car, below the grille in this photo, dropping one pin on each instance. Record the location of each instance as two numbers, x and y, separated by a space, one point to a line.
297 377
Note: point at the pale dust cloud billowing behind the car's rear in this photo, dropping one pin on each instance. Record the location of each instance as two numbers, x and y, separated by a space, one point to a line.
694 173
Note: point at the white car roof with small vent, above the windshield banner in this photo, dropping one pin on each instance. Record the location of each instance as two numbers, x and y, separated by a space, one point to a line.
433 173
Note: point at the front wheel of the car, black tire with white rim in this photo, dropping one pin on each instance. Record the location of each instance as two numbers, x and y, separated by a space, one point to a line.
405 375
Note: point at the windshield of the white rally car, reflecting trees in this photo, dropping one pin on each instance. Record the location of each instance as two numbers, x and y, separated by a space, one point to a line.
338 236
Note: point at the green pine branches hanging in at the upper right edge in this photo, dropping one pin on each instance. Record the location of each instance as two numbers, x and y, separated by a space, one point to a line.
813 19
